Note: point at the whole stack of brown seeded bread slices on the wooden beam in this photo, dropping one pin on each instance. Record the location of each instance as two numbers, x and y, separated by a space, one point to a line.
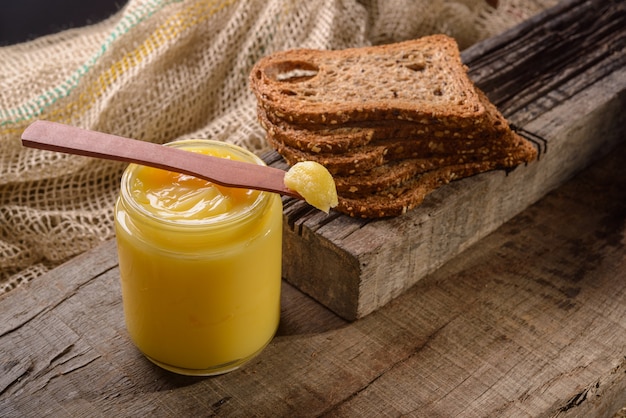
391 123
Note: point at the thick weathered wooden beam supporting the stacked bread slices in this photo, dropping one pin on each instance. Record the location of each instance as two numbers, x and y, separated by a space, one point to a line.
560 75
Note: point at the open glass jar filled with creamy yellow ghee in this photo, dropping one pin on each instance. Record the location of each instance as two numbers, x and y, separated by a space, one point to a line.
200 265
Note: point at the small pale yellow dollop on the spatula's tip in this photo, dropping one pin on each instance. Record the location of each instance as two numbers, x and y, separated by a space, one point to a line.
314 183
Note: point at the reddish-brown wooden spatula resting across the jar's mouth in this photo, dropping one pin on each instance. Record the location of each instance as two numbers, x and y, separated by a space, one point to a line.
58 137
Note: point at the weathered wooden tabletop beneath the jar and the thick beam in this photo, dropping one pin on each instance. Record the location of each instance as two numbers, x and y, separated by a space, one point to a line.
528 321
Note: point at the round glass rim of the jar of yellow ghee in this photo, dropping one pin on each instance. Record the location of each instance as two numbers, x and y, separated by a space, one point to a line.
221 220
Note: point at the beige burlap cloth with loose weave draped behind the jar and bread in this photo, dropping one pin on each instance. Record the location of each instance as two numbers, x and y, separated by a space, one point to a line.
162 70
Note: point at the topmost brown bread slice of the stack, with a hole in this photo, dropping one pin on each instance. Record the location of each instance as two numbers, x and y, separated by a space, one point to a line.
414 80
